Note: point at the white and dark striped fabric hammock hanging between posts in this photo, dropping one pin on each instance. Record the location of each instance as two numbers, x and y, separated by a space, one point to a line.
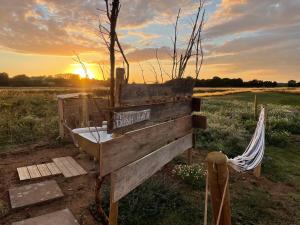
254 153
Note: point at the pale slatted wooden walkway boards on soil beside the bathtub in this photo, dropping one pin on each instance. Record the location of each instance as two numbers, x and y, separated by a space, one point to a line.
64 165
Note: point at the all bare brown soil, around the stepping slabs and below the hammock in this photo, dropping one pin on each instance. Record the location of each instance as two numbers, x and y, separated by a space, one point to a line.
79 191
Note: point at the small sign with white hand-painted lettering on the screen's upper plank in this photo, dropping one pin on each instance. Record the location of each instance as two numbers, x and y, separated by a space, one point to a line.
123 119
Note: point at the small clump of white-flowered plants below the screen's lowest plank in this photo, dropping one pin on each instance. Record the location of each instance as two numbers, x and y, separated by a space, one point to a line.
193 175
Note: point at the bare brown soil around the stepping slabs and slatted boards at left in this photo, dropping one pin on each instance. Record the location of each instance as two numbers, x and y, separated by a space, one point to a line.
78 191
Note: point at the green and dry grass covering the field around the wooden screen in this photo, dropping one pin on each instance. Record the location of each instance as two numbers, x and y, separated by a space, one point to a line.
31 115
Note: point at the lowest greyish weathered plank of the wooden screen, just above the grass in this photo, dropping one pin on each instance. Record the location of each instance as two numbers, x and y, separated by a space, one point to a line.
129 177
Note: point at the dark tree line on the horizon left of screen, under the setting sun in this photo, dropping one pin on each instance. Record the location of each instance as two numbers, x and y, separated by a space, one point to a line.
59 80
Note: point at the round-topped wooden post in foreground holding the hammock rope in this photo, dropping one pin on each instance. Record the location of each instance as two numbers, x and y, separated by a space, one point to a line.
218 174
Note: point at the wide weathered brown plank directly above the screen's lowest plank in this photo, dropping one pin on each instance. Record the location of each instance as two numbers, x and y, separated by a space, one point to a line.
134 145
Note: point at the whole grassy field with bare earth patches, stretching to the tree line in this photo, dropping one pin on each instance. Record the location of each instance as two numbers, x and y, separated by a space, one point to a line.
176 194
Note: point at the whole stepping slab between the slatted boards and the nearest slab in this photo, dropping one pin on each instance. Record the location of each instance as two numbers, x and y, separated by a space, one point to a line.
34 193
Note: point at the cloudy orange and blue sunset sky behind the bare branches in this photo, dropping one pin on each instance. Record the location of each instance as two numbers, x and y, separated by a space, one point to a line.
250 39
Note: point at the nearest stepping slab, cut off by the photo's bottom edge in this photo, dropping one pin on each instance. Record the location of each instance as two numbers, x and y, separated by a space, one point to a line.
62 217
